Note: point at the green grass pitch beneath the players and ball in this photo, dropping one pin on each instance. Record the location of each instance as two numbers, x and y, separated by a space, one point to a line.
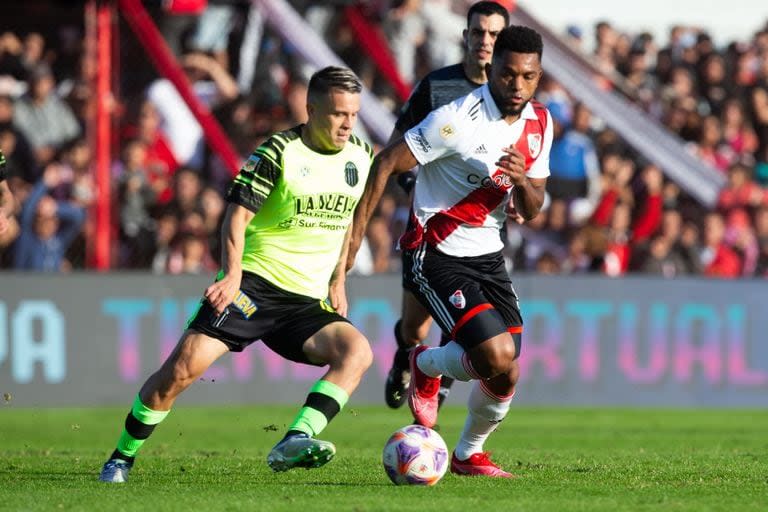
213 458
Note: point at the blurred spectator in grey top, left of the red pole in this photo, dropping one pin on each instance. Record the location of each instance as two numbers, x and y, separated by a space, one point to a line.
44 119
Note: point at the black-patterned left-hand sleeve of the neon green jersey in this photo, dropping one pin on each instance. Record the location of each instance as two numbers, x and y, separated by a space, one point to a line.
257 177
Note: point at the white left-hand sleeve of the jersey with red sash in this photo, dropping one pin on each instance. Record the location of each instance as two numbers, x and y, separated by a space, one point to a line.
436 136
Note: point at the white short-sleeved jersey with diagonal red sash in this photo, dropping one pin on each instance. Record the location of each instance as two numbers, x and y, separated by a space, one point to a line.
460 195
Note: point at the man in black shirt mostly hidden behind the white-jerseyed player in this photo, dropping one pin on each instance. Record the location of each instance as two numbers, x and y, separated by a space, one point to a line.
484 21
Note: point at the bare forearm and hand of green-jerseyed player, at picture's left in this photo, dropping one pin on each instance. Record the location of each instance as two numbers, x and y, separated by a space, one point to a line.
221 293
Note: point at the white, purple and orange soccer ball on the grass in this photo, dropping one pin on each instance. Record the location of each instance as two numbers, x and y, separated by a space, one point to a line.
415 455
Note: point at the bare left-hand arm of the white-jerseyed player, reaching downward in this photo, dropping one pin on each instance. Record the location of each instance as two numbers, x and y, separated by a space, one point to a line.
395 158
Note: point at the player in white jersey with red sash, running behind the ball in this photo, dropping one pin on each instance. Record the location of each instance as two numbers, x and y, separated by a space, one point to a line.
478 155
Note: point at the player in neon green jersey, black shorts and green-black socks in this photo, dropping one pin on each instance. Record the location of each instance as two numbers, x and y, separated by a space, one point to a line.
285 239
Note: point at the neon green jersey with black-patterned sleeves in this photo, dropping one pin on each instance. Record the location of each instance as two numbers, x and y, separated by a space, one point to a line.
304 202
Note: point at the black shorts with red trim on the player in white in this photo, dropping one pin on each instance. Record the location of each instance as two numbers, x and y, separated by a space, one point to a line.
471 298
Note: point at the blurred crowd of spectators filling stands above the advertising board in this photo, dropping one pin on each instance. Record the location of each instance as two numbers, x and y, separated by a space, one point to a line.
609 211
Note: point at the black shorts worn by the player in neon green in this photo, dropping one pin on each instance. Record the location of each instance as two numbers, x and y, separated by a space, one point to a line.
262 311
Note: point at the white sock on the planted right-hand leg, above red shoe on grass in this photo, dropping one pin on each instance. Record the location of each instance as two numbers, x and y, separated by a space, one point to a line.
486 410
